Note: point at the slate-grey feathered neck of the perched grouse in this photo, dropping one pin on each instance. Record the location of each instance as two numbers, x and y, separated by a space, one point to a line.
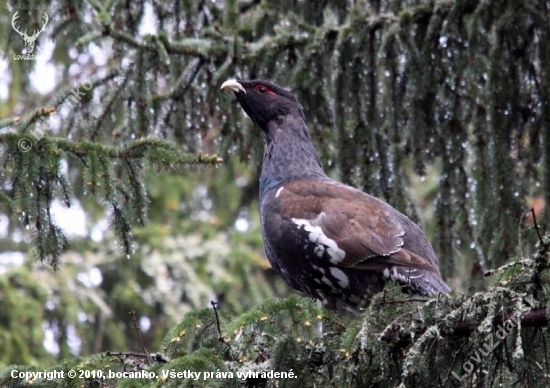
288 155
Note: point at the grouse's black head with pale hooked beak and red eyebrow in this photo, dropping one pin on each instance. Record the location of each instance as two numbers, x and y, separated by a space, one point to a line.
264 102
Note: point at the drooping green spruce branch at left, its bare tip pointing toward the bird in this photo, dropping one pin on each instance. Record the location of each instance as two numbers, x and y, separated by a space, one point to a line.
37 176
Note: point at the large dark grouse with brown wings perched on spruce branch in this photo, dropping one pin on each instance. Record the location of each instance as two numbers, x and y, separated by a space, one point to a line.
326 239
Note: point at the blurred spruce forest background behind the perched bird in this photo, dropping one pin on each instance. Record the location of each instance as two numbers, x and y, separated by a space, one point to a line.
129 181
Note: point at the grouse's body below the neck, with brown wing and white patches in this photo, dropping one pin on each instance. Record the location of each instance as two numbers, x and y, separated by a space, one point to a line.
341 245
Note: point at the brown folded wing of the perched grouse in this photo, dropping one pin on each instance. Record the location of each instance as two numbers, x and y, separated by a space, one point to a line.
361 225
